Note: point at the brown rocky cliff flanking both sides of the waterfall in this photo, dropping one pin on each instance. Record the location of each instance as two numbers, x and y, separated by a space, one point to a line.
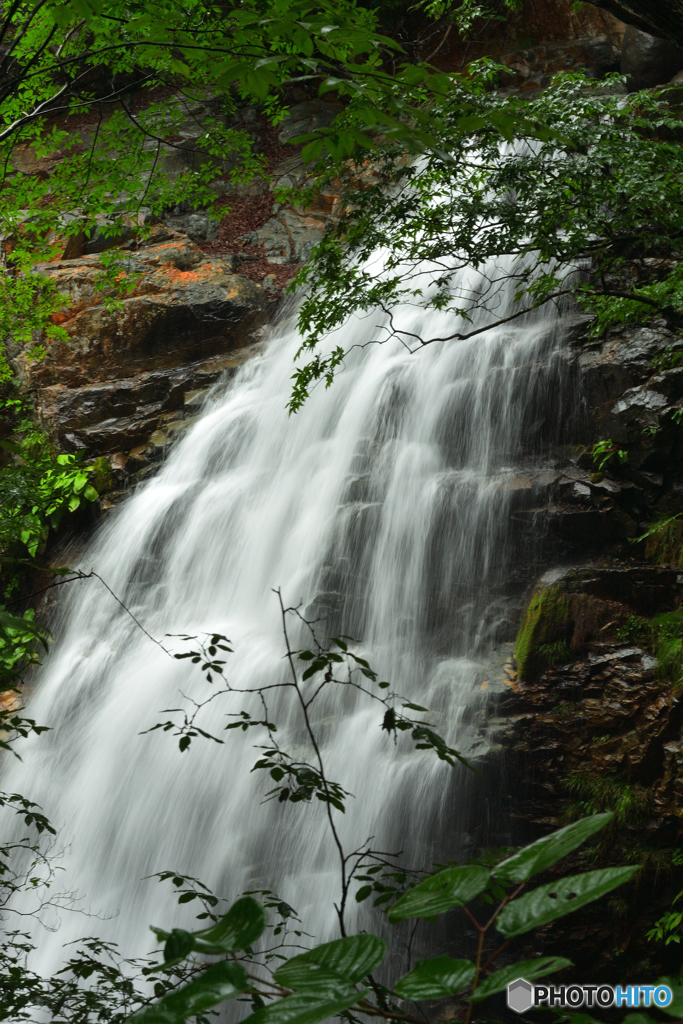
591 717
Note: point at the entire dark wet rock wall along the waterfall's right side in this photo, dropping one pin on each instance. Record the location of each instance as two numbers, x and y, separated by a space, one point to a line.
594 714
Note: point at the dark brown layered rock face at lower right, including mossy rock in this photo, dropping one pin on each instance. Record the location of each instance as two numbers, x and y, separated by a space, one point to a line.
596 723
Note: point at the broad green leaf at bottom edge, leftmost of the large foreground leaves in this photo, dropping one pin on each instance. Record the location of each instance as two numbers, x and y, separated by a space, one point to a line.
220 983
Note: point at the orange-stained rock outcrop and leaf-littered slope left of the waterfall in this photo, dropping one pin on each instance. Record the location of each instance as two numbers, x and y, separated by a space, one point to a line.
132 370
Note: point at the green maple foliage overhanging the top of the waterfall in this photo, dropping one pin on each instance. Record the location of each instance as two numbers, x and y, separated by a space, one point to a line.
589 216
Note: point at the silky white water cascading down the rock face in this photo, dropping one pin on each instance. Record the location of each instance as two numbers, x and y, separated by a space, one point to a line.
385 505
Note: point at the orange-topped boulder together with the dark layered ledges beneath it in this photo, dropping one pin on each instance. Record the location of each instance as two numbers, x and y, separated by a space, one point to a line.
134 364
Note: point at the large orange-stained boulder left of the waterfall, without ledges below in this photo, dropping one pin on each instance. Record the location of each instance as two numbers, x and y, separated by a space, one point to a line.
181 308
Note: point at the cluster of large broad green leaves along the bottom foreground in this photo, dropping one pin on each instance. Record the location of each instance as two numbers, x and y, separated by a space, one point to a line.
330 979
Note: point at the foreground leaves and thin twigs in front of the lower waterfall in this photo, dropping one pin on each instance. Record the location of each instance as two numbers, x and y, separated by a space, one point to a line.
239 954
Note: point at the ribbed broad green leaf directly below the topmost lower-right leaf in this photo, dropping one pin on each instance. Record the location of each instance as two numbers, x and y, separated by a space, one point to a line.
554 901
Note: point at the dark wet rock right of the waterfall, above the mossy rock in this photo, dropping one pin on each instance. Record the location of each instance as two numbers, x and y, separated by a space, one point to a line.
631 394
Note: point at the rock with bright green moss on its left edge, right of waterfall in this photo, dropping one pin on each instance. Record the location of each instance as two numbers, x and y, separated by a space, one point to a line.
559 625
